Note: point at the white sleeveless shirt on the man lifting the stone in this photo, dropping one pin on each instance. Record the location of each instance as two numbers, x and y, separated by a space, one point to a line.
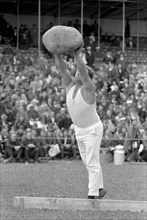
82 114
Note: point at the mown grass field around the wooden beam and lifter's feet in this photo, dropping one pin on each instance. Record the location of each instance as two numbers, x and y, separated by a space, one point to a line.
69 179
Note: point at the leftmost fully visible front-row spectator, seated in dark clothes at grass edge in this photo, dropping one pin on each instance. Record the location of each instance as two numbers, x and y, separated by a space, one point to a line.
13 151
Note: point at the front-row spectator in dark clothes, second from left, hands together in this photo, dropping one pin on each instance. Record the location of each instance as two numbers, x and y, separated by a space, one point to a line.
31 149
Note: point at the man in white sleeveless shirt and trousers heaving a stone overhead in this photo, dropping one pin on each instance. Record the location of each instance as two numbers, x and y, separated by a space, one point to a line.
81 104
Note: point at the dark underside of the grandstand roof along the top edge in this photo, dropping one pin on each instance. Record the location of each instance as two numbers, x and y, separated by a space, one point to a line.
110 9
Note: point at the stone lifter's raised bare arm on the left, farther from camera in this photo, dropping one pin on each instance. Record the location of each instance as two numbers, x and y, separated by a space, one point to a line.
66 76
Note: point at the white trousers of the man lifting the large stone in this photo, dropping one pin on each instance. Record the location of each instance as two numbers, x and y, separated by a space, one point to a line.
89 141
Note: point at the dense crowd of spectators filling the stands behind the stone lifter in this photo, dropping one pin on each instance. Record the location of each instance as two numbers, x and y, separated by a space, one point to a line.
34 121
